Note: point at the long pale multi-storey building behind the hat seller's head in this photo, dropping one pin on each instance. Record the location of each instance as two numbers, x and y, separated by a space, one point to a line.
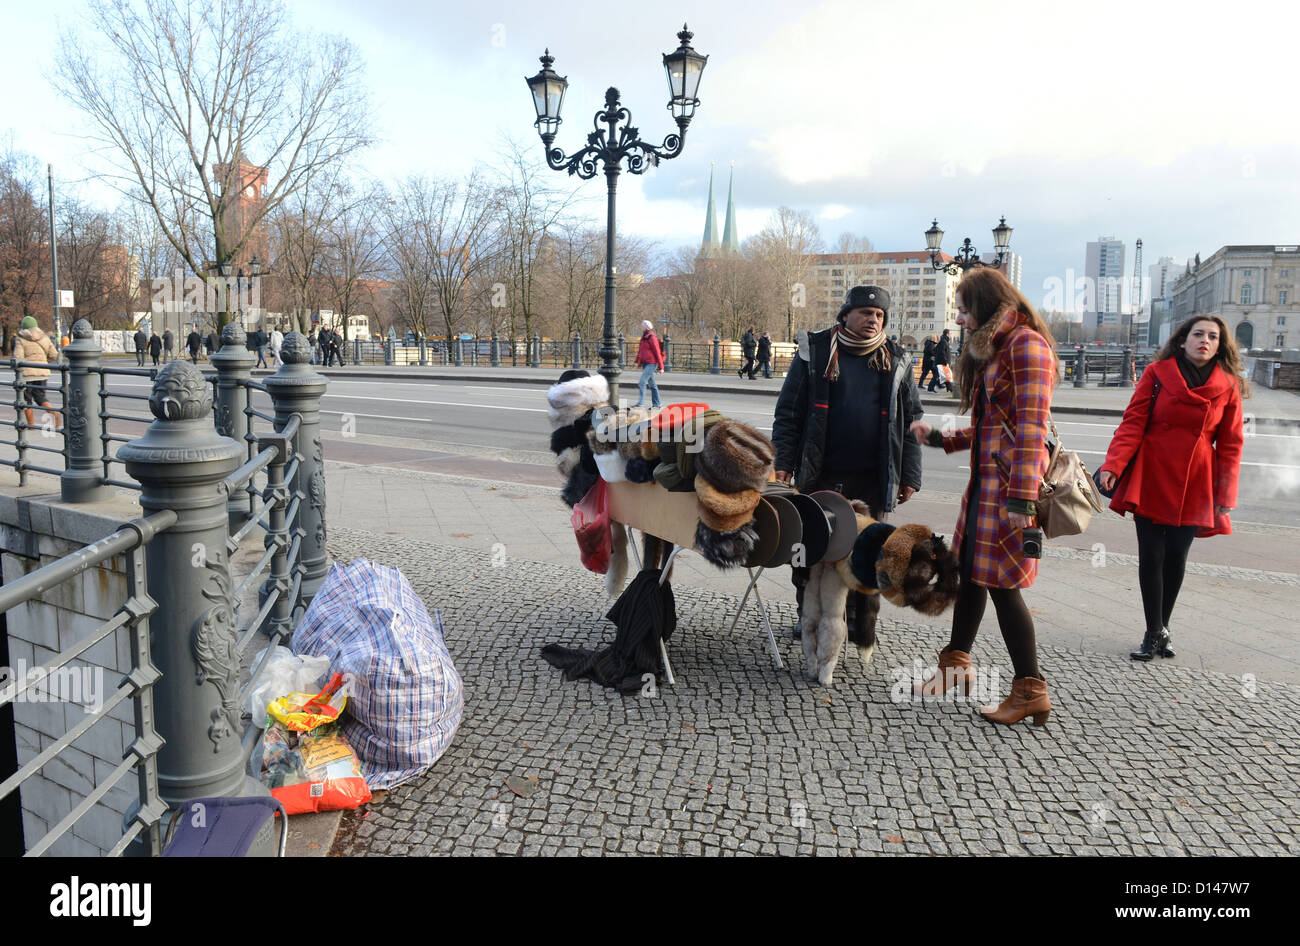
921 300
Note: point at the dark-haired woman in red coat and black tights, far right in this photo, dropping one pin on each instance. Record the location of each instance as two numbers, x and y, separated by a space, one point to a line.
1176 458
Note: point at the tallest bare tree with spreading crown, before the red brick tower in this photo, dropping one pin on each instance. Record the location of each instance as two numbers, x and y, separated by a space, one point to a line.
189 98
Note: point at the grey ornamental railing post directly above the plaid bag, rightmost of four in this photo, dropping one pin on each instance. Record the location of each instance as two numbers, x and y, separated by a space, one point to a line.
297 389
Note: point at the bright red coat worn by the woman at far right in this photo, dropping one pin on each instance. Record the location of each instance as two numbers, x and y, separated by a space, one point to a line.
1189 461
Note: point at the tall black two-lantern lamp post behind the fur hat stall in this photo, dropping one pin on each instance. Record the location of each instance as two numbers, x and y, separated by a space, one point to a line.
609 147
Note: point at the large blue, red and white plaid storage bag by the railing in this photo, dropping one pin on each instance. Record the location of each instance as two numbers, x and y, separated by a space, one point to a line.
408 698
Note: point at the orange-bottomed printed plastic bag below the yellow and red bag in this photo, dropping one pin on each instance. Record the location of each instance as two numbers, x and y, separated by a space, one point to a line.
315 771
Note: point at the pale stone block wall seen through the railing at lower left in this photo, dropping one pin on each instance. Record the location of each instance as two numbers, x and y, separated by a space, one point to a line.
37 530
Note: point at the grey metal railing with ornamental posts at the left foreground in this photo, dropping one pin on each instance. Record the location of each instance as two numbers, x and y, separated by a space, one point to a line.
263 478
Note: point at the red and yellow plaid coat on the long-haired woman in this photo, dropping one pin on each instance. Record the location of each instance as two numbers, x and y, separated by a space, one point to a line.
1017 389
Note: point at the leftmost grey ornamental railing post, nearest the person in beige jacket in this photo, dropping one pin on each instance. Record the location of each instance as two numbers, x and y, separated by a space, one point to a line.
84 471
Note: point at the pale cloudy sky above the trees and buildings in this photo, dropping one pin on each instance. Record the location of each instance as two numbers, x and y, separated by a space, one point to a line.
1165 121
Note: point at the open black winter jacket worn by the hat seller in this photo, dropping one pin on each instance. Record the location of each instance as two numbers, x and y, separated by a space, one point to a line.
799 428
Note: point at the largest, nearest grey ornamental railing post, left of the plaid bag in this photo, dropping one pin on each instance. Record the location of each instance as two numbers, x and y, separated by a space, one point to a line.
180 465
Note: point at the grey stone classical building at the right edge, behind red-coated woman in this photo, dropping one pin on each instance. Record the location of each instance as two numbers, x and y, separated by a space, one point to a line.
1253 289
